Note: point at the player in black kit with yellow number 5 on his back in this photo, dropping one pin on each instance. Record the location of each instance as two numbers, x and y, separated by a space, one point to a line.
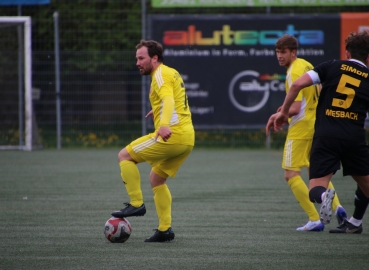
339 136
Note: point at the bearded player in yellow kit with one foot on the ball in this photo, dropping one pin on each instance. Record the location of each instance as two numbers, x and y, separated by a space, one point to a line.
166 148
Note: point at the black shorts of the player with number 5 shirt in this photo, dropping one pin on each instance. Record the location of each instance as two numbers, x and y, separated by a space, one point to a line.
327 153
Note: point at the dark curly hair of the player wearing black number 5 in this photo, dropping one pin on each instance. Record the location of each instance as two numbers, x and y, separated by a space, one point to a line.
358 45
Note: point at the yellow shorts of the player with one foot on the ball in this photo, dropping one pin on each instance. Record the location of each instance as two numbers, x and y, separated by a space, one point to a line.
165 159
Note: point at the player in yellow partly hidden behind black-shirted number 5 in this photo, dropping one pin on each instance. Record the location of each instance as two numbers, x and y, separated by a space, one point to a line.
300 133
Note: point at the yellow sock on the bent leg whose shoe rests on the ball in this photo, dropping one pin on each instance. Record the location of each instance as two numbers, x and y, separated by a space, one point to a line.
132 182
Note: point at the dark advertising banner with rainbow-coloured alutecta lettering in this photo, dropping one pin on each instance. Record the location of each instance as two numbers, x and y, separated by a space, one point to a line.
228 63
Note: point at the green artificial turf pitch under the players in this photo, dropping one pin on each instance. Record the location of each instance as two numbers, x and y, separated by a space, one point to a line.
232 209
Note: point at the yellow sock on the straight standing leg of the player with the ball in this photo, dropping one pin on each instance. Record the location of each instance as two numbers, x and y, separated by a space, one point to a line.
163 203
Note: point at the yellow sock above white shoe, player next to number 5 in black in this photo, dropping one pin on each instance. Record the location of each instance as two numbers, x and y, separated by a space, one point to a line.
301 192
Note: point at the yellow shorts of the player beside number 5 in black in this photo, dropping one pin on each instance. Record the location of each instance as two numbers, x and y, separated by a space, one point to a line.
296 154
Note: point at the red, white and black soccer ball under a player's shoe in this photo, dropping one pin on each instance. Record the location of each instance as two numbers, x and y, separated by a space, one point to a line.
117 230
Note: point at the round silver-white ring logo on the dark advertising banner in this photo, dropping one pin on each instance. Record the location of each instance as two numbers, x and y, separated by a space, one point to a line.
247 93
